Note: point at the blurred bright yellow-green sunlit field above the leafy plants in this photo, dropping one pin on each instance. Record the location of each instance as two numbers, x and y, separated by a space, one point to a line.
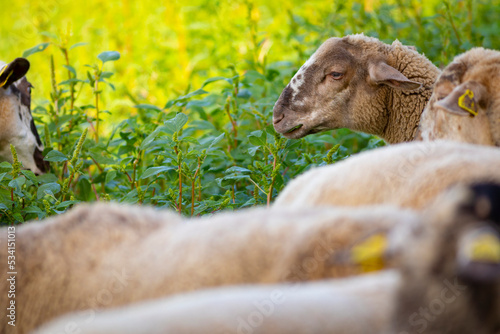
170 47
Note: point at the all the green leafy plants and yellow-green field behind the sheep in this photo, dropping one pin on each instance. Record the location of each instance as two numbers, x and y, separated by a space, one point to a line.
171 105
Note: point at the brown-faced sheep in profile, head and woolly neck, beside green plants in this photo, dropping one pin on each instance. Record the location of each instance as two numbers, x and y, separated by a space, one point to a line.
360 83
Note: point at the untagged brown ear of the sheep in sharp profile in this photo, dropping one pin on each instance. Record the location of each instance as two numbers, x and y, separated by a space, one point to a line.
383 74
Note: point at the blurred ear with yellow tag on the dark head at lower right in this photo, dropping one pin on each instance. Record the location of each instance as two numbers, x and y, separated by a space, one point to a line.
479 255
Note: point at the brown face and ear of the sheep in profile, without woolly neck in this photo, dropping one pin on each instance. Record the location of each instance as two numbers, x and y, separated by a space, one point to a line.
337 85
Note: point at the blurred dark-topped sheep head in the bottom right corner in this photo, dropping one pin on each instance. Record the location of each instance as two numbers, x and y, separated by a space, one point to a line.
456 287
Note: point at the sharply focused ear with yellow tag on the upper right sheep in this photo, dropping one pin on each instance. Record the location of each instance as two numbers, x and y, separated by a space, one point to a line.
464 99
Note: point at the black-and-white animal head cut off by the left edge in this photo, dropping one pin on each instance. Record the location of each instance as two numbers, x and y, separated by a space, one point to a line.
17 124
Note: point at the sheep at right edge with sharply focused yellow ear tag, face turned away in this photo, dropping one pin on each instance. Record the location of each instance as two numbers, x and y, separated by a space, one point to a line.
472 78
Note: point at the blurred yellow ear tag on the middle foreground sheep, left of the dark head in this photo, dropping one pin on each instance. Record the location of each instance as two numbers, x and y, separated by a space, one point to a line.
370 253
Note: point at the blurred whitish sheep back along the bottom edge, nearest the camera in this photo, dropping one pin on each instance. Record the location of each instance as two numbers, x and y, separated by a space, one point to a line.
356 305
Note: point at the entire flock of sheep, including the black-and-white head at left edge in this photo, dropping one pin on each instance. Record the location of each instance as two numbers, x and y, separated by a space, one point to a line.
399 239
